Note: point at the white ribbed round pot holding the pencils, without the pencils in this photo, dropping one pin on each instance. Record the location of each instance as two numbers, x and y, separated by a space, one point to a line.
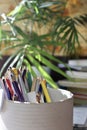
57 115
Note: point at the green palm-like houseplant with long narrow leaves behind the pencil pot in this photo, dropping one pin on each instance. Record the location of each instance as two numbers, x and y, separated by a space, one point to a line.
30 46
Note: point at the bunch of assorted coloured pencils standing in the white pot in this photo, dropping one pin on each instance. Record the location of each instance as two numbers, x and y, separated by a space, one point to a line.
20 85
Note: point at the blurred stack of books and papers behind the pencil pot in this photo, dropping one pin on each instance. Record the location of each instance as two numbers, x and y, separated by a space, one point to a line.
78 83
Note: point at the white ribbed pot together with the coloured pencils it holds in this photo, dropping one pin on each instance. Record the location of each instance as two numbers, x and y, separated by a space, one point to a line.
27 103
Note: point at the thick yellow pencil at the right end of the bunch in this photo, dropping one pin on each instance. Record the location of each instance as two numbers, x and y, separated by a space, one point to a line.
45 91
